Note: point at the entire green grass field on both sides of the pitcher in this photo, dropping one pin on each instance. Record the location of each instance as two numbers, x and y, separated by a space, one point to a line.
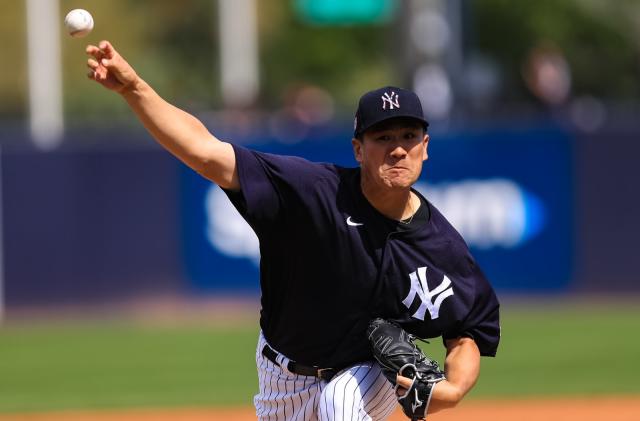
557 350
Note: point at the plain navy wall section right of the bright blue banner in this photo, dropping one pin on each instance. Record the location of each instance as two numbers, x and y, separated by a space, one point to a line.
607 195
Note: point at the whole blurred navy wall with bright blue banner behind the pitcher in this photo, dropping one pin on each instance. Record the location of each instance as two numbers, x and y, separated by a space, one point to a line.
87 225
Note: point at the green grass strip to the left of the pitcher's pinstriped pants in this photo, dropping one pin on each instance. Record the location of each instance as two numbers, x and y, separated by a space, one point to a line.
110 366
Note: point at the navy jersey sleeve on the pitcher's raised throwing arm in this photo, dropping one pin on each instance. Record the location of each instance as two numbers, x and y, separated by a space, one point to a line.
269 185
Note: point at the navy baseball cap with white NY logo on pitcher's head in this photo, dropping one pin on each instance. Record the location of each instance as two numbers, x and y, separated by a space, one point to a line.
385 103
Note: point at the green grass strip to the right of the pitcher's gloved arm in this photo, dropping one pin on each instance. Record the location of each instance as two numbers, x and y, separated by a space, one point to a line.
583 349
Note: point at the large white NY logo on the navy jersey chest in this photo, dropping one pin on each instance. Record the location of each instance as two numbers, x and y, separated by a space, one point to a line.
429 299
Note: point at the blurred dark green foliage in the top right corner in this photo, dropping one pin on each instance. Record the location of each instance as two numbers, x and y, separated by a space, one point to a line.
598 40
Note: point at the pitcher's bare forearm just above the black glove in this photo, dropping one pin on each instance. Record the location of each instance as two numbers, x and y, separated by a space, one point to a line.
462 368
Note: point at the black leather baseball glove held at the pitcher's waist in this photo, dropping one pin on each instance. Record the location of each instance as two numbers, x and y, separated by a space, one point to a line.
396 352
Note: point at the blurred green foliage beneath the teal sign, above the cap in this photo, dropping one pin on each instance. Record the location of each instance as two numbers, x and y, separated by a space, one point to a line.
344 60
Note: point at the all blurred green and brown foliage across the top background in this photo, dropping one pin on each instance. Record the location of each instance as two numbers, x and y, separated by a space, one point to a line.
175 47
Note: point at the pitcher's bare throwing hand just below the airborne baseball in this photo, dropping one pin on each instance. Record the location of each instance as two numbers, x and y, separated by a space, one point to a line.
109 69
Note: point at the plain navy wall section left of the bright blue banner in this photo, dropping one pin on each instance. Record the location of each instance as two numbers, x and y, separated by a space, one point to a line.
88 226
